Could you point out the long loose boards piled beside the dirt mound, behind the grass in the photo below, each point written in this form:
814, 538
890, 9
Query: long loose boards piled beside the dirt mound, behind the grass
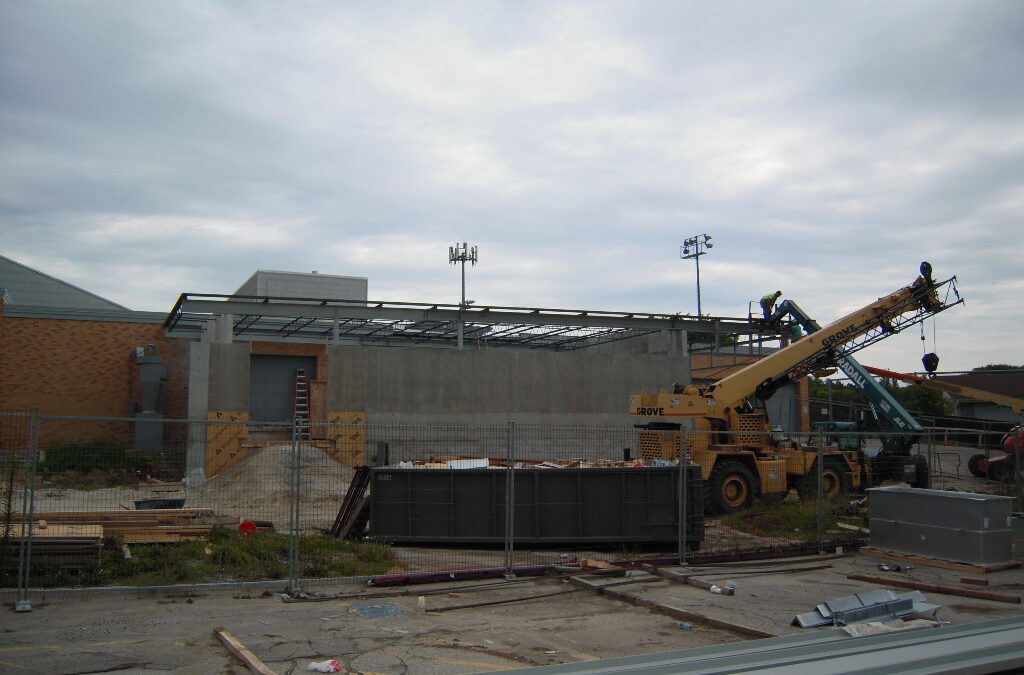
146, 527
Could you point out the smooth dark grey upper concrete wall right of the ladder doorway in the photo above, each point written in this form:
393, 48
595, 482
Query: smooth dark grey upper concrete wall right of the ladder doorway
423, 386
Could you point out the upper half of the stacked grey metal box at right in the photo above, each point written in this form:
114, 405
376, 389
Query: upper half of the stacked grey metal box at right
942, 509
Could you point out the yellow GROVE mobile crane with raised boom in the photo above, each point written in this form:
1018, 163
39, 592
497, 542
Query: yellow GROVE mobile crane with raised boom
733, 443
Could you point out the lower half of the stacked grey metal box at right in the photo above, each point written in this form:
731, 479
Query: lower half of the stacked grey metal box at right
972, 546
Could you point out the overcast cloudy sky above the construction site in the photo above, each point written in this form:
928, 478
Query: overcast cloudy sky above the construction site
149, 149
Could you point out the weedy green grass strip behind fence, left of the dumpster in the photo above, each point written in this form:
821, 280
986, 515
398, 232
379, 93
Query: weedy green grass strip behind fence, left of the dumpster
225, 557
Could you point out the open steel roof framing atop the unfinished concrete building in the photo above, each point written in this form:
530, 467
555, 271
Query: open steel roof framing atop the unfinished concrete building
317, 320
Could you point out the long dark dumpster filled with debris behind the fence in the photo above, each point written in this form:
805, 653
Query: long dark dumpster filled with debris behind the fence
552, 507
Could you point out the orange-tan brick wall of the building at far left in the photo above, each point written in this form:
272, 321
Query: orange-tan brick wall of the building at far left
86, 368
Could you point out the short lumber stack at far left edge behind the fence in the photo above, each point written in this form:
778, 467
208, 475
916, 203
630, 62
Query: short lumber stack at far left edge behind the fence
55, 546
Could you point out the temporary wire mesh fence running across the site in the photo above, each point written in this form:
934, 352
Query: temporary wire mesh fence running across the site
230, 501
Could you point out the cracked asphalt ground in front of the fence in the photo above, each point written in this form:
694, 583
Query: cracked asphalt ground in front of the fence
174, 631
